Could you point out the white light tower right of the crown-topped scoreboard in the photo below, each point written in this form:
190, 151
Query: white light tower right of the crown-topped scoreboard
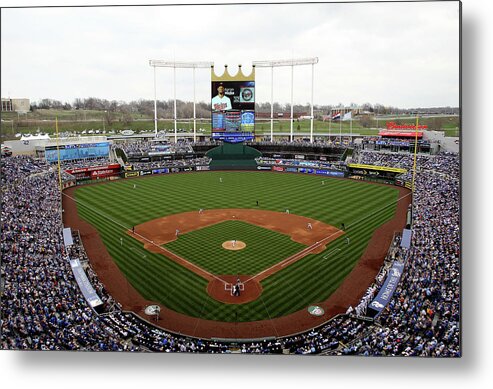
287, 62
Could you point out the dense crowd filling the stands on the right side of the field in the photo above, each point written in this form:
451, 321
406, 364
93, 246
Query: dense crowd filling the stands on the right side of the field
423, 317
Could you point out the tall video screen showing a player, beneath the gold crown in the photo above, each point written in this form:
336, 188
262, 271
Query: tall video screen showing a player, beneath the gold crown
233, 110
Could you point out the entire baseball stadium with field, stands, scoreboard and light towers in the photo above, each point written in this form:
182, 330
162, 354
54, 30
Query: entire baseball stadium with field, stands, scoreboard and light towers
233, 241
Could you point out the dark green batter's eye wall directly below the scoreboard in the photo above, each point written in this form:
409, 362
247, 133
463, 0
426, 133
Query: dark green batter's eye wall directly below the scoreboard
233, 156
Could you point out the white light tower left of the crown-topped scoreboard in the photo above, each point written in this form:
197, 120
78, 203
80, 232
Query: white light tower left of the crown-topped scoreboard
175, 64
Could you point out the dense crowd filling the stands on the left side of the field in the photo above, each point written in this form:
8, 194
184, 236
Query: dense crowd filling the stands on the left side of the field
42, 307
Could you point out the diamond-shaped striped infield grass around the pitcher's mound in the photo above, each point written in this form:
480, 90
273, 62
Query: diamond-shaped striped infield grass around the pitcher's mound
264, 248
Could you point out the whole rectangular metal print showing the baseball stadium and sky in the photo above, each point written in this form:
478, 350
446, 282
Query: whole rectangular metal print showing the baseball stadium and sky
245, 201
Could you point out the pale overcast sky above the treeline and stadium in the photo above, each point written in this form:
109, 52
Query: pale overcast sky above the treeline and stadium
400, 54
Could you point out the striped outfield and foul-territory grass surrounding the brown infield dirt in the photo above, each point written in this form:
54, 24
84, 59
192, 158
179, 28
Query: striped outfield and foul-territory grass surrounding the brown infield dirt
116, 206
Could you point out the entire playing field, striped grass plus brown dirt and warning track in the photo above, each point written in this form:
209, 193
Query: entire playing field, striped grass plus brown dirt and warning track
284, 266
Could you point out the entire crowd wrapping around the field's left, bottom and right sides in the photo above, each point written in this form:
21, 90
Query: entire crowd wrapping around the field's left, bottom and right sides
43, 308
